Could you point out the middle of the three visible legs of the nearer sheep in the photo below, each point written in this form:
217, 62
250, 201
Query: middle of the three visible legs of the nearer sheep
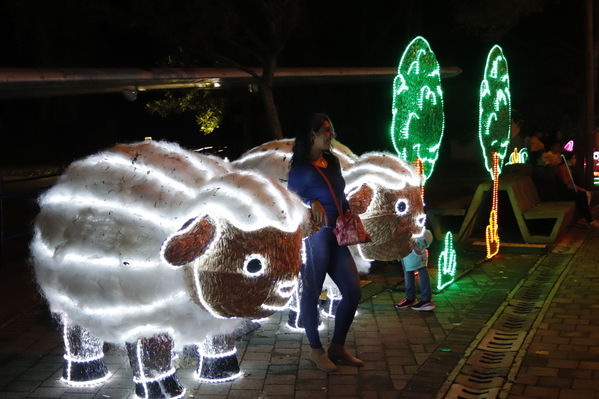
154, 376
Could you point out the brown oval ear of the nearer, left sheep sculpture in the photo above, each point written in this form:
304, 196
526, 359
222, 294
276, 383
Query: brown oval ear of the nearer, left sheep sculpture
190, 242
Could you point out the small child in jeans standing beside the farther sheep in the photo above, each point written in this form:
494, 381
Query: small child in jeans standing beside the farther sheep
417, 261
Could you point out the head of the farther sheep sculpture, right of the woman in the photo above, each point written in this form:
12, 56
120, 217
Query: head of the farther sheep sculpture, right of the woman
385, 192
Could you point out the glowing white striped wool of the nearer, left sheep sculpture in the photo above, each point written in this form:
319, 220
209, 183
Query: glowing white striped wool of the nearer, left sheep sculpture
97, 241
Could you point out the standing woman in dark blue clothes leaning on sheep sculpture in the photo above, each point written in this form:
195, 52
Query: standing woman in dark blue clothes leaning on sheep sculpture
323, 254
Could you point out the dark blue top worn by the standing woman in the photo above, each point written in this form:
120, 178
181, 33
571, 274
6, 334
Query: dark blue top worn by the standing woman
306, 182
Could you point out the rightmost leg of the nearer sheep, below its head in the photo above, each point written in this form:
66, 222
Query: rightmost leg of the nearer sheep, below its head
217, 359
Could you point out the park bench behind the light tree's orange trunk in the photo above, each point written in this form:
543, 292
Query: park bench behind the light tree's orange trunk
526, 207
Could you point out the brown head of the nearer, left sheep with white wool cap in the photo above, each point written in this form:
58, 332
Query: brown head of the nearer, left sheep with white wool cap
244, 254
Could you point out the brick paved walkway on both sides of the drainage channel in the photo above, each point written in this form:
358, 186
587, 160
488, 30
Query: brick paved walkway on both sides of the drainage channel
408, 354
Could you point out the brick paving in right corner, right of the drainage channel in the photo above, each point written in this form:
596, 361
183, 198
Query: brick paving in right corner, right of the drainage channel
563, 359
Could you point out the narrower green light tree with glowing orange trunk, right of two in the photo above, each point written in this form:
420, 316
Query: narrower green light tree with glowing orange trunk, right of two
494, 123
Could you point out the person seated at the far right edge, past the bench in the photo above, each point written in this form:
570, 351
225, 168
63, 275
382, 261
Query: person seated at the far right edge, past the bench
569, 191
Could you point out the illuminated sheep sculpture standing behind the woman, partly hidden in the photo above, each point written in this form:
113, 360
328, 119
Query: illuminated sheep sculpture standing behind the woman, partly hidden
380, 187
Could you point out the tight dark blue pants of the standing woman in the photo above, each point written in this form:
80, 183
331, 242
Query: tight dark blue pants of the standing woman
324, 255
